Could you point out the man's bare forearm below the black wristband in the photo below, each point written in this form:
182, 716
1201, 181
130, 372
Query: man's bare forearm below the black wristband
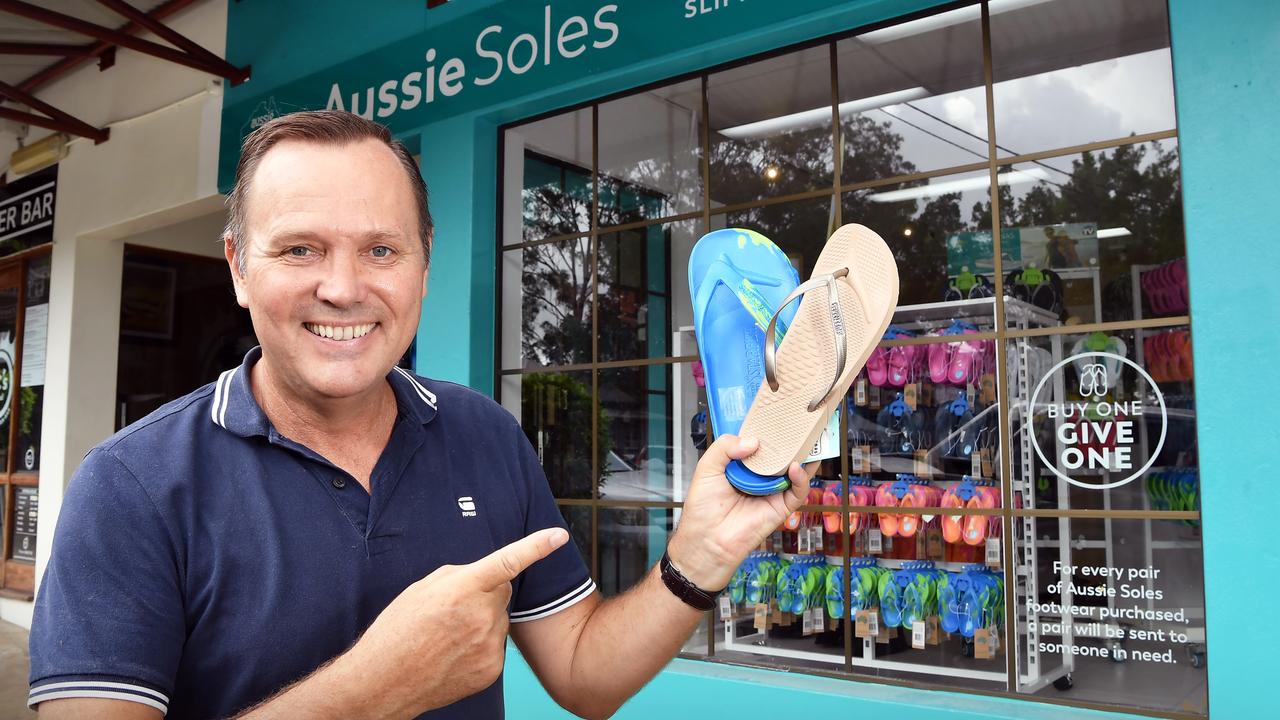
628, 640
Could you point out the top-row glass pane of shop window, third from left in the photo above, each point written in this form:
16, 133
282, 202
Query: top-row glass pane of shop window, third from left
771, 127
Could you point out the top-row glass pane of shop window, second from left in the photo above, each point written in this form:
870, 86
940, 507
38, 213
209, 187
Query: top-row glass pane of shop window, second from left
651, 154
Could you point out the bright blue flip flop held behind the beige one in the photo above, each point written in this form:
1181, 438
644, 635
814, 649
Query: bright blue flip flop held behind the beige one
738, 279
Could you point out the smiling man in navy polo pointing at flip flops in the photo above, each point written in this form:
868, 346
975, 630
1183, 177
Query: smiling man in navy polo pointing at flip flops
322, 535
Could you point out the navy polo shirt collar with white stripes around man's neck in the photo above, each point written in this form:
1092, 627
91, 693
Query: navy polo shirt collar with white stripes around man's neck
236, 409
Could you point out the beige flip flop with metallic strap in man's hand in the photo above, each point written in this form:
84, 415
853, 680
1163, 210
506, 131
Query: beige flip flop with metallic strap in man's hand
829, 343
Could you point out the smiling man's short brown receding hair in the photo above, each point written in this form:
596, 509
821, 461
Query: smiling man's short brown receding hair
324, 127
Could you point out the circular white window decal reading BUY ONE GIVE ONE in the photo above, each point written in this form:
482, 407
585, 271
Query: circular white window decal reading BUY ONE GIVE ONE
1095, 384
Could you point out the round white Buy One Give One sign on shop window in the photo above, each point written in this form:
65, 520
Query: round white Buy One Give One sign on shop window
1099, 438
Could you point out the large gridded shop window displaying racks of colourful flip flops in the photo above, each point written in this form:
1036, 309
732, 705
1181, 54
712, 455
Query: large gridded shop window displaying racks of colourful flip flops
1044, 388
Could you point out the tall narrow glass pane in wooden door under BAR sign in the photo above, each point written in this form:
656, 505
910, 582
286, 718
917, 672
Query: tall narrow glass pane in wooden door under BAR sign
33, 382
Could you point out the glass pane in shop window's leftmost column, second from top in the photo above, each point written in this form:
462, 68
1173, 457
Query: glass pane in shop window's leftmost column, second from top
547, 295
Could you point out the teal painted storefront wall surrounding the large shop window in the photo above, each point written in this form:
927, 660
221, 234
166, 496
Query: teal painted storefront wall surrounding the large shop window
1226, 57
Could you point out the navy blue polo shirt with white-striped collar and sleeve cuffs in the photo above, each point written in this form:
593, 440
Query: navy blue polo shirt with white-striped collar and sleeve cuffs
203, 562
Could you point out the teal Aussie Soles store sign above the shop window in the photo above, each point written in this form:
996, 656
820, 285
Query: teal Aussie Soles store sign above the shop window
496, 54
